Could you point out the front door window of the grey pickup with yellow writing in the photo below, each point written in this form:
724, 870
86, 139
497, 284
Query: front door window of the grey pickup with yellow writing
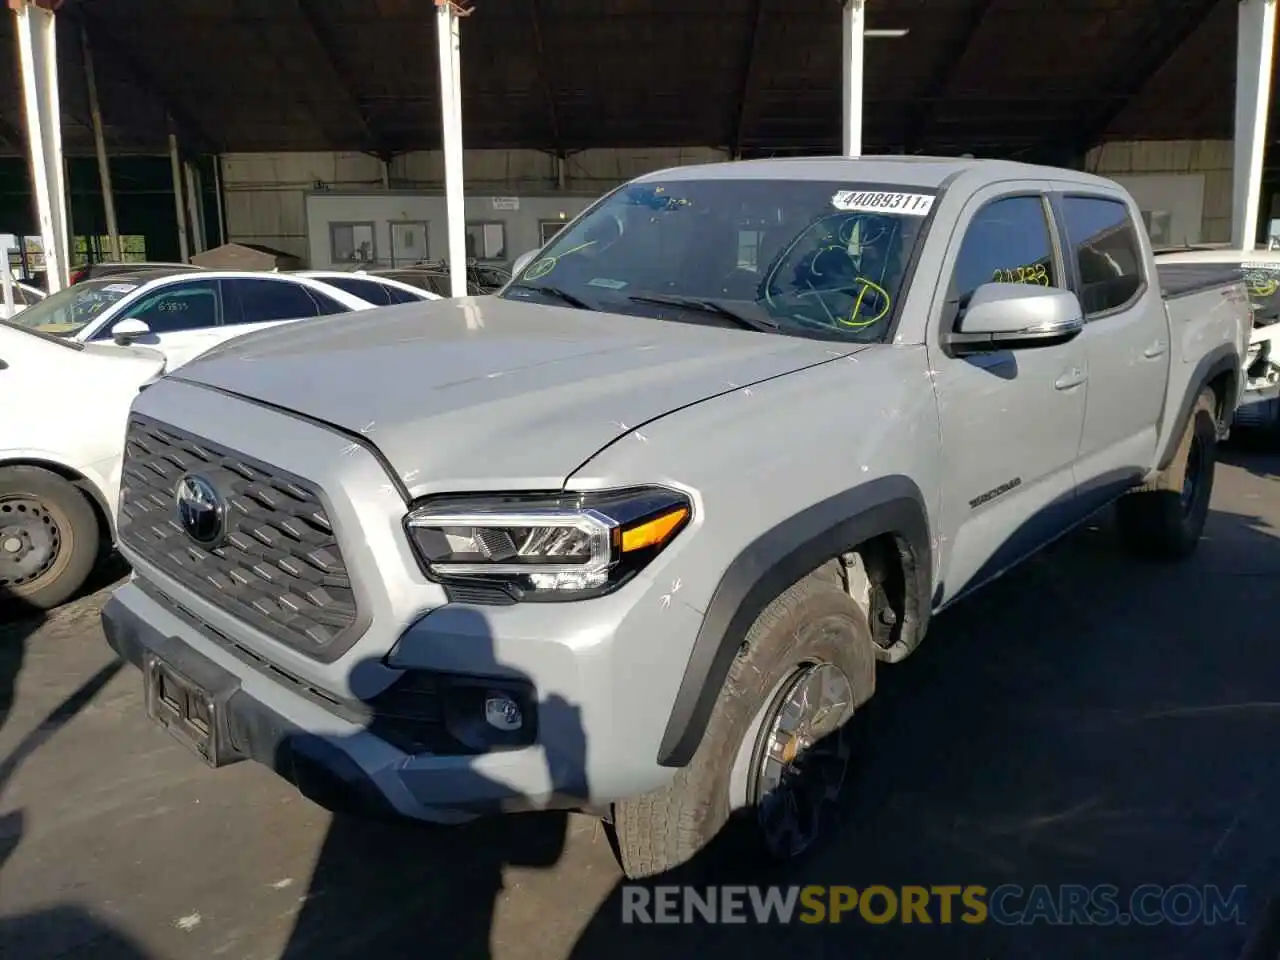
1008, 241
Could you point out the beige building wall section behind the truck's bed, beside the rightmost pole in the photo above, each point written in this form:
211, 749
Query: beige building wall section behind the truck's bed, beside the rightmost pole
1186, 184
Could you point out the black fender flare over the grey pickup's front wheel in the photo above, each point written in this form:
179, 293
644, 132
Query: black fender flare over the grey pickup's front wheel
769, 566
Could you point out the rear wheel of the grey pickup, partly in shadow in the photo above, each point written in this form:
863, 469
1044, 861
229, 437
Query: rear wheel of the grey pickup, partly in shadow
1165, 519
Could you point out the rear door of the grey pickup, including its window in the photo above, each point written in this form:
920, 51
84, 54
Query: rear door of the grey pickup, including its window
1126, 340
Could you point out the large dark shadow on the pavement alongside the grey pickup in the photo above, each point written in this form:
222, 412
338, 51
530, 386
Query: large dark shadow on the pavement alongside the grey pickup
1085, 721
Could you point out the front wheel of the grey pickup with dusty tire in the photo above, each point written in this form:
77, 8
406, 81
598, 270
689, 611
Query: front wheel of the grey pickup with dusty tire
778, 744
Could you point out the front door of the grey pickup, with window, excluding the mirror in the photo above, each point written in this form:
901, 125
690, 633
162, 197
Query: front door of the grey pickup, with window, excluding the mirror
1011, 419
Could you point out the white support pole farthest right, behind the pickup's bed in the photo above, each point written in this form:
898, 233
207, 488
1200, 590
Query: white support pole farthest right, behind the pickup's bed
1255, 51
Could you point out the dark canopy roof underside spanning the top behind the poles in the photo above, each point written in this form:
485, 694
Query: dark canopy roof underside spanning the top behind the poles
757, 76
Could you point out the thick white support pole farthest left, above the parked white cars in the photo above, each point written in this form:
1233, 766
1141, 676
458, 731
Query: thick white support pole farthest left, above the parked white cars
38, 53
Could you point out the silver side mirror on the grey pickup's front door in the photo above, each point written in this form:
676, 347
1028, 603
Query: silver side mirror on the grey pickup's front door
1017, 317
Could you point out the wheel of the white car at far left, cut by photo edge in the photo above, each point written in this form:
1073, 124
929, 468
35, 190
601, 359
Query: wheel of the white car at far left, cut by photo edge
49, 538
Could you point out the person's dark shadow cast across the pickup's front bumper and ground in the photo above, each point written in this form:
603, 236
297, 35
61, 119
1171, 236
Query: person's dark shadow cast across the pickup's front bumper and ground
396, 890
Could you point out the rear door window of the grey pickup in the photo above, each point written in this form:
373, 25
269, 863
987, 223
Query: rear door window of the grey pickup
1107, 252
